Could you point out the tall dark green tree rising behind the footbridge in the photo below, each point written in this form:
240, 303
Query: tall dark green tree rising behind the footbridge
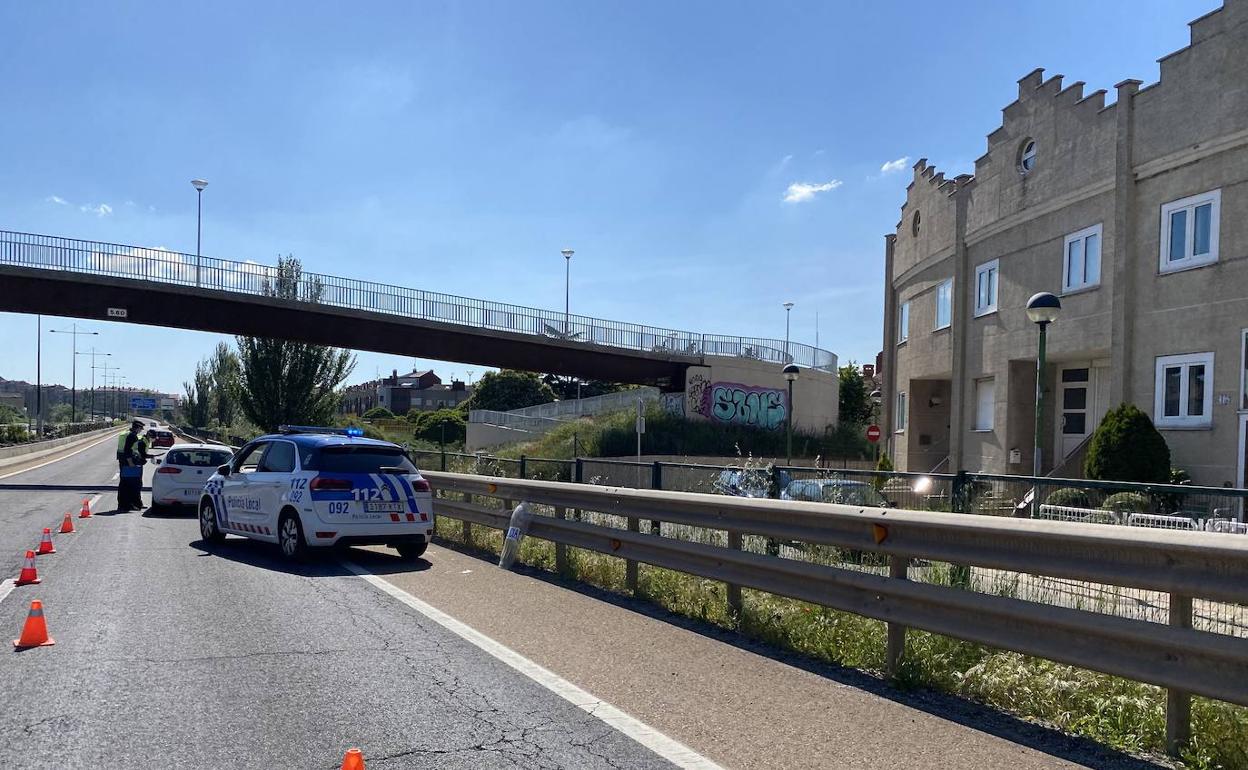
288, 383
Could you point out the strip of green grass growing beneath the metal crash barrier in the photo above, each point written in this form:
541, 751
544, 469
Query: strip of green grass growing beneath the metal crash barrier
1124, 714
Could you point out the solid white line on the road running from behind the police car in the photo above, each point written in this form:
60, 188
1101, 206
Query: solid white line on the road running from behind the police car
668, 748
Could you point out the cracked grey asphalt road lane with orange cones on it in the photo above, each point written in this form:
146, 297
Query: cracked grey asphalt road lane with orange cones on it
174, 655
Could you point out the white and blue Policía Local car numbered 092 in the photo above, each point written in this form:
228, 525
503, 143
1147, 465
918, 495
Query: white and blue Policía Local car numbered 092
311, 487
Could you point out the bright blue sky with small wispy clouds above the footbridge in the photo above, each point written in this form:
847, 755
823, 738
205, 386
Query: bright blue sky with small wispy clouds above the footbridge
707, 160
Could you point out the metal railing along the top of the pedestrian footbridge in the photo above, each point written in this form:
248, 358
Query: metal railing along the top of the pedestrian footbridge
165, 266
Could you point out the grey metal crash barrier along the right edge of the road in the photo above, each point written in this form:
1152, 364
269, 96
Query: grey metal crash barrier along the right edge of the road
1184, 565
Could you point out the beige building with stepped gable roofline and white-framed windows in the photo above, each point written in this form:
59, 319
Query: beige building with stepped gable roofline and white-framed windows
1136, 215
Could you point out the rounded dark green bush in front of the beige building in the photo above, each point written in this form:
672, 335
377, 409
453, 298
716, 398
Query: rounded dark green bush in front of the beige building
1128, 447
